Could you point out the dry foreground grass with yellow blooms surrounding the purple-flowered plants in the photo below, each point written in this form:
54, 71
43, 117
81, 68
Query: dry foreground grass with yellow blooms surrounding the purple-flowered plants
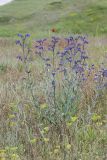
25, 134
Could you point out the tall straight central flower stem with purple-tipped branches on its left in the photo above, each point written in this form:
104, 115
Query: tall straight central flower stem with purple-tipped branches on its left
50, 59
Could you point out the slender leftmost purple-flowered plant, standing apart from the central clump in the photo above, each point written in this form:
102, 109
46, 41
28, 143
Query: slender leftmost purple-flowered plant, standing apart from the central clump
25, 58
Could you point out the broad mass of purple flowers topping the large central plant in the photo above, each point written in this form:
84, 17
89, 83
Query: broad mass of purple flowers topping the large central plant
71, 58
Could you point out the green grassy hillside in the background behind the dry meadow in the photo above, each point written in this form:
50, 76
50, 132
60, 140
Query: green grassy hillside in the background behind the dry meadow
67, 16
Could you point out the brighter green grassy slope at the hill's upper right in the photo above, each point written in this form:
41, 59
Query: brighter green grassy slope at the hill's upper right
89, 20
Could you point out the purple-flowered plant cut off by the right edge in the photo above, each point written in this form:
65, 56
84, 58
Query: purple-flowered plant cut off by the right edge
99, 77
